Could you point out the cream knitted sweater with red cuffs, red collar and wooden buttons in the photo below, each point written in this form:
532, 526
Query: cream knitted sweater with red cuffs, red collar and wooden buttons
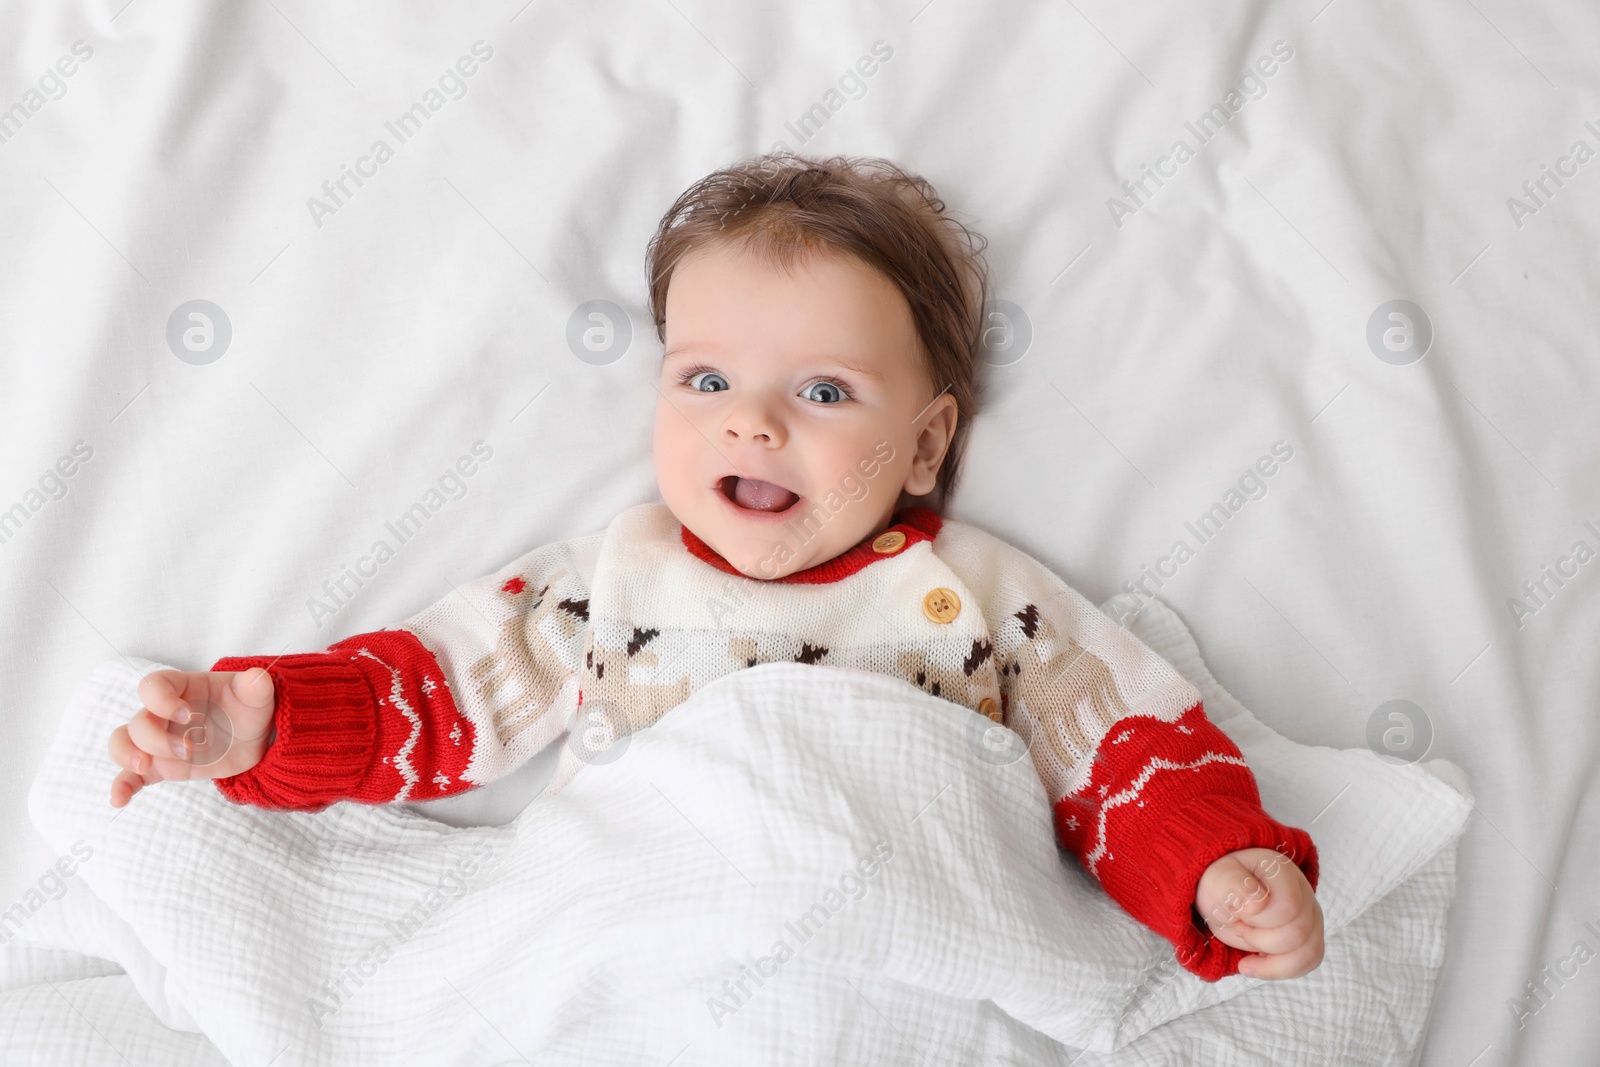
625, 625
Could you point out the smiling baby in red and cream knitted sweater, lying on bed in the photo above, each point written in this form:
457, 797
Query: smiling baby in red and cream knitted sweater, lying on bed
823, 329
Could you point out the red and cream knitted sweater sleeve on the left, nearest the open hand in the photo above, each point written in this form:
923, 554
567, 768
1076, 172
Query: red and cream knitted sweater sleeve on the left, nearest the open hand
454, 698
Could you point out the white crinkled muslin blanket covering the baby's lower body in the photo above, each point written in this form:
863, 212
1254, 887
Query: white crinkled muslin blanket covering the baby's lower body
870, 853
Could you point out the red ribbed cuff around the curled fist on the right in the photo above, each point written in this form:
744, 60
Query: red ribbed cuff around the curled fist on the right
1178, 849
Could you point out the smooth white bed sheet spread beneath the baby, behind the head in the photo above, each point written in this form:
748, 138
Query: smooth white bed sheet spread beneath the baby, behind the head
1170, 353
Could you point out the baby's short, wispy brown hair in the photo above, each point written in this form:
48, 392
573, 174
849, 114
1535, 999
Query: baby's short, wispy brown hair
785, 206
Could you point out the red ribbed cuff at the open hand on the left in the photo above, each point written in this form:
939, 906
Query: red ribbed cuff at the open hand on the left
327, 724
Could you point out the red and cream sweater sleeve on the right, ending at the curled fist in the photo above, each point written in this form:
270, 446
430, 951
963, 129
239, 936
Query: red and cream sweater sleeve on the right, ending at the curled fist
1145, 789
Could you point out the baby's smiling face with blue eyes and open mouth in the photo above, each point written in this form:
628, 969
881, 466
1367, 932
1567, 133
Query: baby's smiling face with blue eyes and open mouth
794, 407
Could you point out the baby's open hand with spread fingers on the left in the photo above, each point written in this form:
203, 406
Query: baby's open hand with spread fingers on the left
194, 724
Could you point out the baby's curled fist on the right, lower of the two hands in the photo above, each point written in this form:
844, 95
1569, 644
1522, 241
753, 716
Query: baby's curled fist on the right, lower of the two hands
1258, 901
